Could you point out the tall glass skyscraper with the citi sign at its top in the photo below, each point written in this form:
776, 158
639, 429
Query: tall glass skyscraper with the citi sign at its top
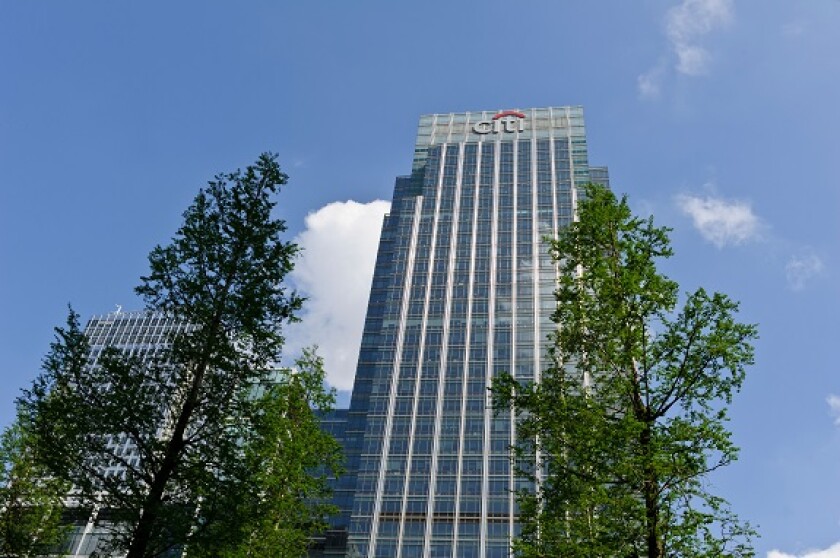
462, 290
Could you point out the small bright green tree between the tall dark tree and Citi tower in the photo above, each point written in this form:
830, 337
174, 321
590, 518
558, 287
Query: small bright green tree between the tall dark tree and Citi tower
288, 457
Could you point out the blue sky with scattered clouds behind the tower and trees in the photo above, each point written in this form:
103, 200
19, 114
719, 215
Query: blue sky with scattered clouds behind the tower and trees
717, 116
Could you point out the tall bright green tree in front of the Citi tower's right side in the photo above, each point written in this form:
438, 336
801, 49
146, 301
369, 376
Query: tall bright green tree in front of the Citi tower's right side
618, 437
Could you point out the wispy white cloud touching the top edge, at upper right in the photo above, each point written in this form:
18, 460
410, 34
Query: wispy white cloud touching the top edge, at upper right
687, 23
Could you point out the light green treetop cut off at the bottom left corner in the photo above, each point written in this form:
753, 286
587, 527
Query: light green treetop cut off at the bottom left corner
31, 502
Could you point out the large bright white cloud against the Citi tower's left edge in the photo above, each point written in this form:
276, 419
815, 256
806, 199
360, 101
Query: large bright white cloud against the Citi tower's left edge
334, 273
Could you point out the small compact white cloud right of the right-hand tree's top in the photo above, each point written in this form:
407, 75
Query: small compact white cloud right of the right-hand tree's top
721, 221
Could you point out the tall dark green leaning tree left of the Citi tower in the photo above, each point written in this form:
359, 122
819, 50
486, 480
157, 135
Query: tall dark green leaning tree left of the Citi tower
191, 412
